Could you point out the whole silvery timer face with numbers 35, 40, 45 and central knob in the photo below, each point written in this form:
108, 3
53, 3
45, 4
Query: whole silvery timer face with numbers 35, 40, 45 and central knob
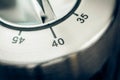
36, 31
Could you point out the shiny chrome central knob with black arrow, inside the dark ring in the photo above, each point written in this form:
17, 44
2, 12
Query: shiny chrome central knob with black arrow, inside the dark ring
34, 11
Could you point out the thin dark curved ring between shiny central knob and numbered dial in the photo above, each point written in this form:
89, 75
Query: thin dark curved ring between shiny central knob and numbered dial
44, 26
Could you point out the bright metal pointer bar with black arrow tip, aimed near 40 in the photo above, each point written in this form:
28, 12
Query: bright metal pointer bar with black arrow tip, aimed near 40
46, 13
